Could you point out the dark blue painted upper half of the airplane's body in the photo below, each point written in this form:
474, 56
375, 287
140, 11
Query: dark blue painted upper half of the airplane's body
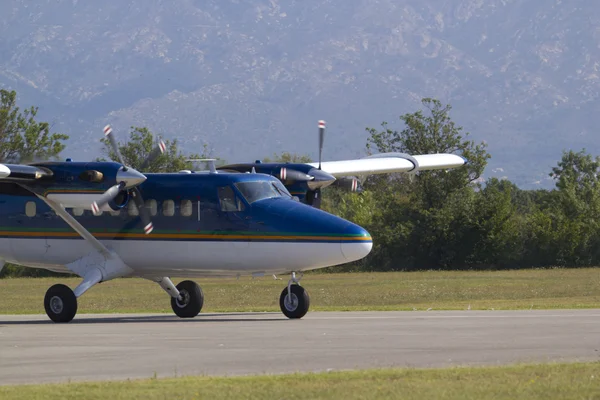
280, 217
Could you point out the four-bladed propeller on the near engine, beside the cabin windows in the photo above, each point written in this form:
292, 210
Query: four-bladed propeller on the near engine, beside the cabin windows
128, 179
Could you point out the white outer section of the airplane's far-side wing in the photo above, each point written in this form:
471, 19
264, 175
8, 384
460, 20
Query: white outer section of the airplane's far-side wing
391, 162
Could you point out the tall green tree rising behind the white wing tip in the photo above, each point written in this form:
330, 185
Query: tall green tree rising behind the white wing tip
432, 222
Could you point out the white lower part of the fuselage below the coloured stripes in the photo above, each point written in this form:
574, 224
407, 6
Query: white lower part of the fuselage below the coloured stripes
187, 258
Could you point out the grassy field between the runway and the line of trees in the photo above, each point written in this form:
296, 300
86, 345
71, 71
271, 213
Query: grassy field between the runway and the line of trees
537, 289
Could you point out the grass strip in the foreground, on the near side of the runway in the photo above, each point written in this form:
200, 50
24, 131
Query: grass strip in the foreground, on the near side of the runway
554, 381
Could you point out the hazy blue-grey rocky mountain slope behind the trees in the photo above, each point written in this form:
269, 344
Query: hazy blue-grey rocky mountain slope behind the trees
251, 78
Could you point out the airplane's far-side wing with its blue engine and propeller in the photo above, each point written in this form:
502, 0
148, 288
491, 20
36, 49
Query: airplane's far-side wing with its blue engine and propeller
305, 180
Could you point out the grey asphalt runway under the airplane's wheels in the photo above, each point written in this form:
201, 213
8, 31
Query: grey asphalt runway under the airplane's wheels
100, 347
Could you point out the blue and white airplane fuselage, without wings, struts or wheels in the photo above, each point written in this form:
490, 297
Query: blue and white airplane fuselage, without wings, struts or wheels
205, 224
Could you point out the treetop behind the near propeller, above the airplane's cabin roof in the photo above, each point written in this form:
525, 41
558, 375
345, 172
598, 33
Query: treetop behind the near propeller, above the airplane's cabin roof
141, 143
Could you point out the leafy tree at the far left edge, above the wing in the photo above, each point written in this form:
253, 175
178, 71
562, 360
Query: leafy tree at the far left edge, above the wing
22, 138
